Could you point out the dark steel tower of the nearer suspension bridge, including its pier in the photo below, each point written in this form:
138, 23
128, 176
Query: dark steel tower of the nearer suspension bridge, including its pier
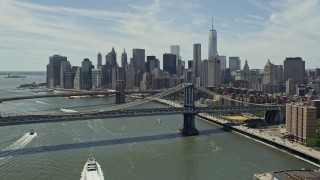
189, 128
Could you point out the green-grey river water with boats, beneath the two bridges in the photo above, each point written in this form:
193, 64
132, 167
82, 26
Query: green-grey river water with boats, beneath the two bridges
126, 148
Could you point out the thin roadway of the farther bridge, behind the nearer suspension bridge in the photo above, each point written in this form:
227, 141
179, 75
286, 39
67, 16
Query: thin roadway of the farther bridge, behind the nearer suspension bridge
75, 94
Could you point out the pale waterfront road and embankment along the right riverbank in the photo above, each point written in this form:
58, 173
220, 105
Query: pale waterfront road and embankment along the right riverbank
294, 149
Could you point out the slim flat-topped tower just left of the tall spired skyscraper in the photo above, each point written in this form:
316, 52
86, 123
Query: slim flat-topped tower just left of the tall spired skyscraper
196, 65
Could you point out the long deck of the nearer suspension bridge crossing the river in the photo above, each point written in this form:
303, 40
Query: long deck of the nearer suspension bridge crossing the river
29, 119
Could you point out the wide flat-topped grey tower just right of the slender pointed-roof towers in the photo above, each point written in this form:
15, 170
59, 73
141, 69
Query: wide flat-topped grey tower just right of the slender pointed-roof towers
138, 59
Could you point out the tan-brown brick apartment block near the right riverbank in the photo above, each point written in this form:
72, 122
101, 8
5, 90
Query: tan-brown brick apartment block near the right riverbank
301, 121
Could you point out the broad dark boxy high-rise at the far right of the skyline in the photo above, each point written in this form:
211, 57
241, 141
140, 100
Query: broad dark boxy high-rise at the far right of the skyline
294, 68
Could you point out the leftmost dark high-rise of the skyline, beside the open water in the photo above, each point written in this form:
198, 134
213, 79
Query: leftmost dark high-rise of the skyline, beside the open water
53, 70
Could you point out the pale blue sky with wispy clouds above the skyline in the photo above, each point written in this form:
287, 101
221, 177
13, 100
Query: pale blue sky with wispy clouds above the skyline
256, 30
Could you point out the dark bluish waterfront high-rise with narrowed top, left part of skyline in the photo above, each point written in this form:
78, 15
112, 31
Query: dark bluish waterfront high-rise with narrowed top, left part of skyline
86, 72
